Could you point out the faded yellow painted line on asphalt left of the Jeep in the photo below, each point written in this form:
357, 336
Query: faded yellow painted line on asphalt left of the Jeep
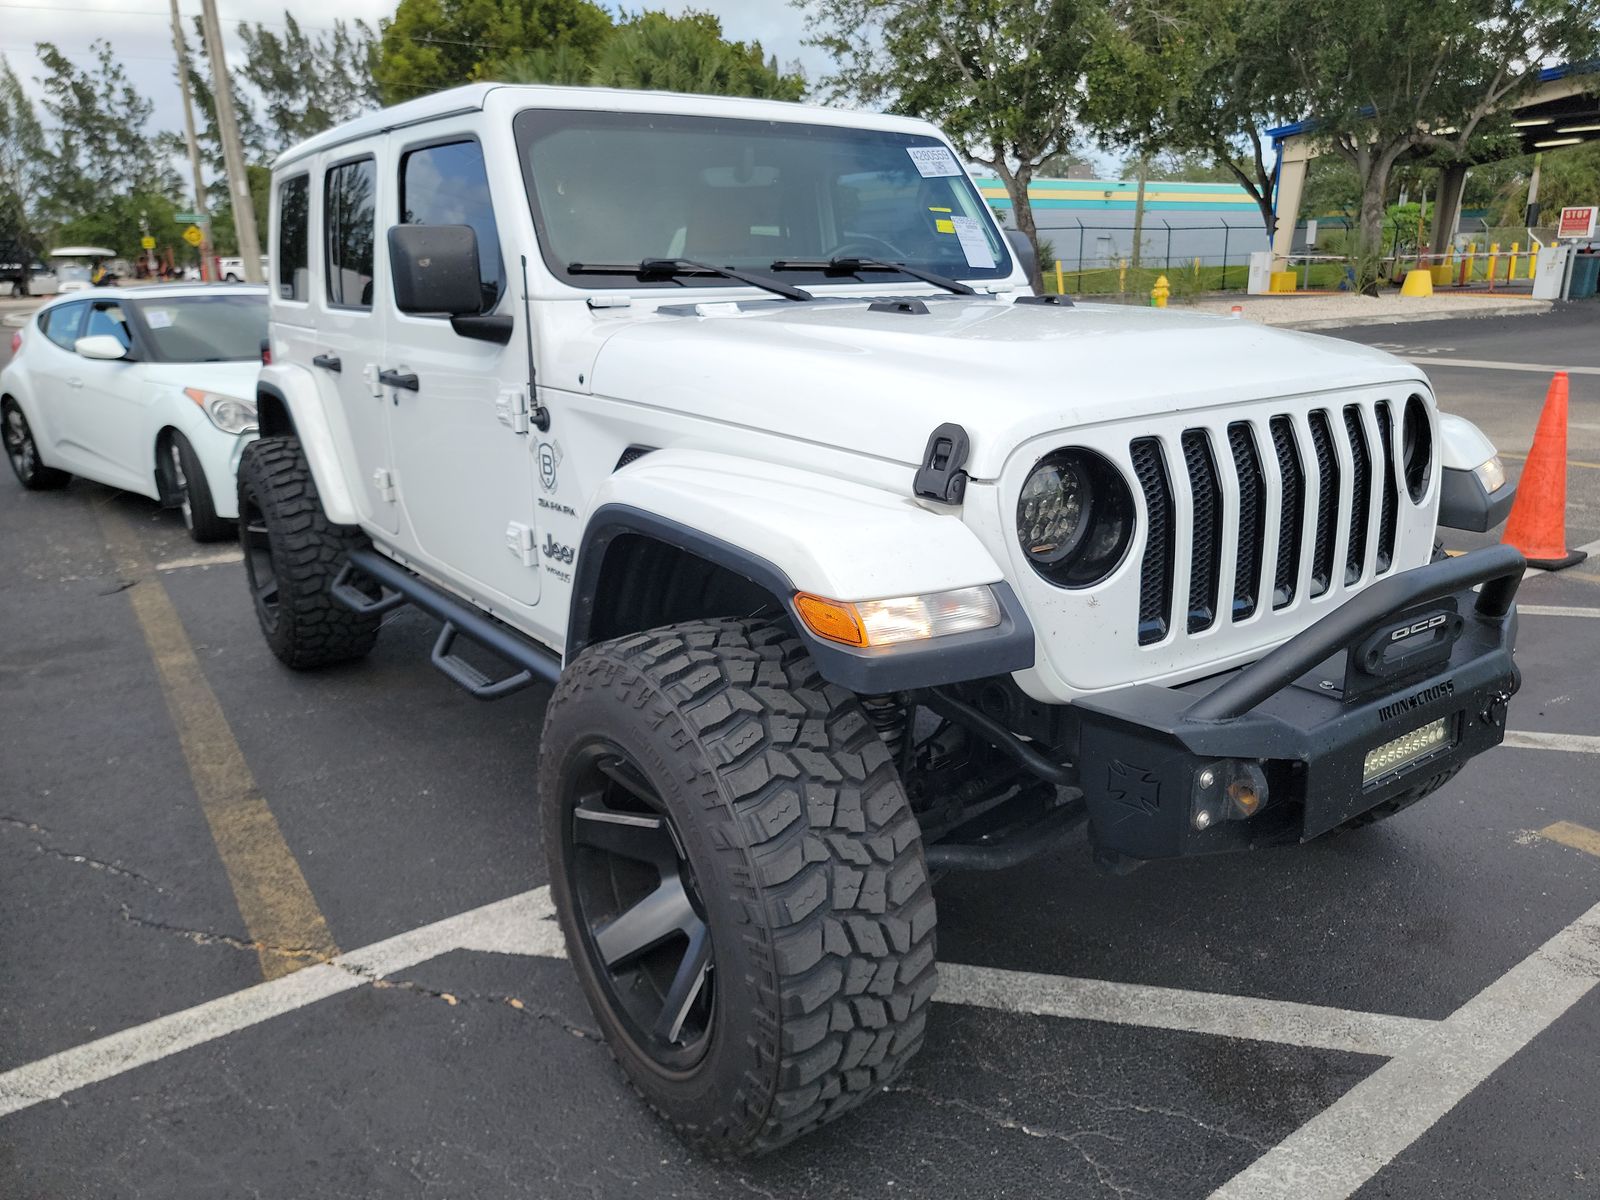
274, 900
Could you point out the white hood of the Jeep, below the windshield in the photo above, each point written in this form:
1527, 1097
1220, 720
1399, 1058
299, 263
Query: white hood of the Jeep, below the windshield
878, 383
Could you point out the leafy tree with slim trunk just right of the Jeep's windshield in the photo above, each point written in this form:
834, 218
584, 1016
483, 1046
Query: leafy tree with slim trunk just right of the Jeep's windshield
1002, 78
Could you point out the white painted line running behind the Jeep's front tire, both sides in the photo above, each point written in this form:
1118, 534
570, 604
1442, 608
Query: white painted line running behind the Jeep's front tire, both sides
524, 926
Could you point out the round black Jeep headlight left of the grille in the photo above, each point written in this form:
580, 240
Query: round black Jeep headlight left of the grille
1074, 518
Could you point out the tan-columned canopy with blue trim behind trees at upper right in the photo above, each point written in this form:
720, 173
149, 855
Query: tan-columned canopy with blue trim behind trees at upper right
1562, 111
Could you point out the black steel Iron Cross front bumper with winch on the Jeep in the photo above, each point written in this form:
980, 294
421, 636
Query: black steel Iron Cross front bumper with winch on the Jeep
1410, 650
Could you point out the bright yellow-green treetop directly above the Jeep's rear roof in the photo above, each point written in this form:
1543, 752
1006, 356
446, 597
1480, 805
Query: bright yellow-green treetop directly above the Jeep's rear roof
439, 44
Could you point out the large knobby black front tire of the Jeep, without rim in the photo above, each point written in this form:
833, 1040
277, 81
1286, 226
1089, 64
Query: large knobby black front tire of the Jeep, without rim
809, 868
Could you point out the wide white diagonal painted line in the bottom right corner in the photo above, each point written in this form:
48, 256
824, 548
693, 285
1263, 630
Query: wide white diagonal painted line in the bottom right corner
1340, 1150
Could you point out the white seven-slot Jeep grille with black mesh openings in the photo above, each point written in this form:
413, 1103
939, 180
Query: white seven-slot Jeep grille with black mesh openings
1310, 454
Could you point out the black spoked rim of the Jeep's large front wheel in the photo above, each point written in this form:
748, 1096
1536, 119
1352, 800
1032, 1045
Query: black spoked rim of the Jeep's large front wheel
644, 924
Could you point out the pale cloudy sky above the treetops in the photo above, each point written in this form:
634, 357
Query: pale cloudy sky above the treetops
142, 33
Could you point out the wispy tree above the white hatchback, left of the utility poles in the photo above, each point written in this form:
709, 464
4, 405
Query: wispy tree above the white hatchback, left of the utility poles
98, 150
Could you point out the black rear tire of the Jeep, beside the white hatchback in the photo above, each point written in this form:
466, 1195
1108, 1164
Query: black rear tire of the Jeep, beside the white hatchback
292, 558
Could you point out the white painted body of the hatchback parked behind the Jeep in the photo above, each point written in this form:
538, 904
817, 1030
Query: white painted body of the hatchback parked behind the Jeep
103, 420
